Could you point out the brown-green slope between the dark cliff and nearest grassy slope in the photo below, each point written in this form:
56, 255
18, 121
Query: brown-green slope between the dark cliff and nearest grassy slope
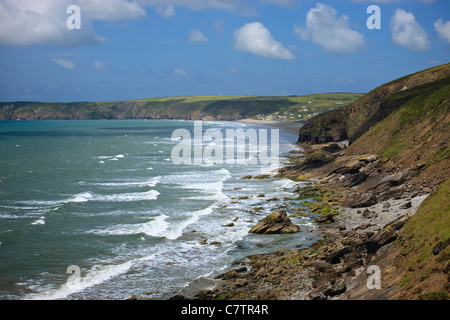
416, 136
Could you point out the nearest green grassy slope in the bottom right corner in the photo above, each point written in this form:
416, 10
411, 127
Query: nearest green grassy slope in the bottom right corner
425, 250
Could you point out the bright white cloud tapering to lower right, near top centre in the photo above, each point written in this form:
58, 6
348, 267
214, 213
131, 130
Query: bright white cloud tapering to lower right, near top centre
254, 38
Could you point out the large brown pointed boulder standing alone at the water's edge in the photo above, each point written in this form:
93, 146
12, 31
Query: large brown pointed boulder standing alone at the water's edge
277, 222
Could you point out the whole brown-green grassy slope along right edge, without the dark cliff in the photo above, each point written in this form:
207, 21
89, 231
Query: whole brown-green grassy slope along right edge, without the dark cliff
416, 137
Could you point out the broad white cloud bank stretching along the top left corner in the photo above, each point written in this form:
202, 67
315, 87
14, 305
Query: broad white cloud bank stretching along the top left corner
43, 22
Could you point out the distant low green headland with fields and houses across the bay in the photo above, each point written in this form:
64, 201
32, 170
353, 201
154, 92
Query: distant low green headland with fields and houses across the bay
188, 108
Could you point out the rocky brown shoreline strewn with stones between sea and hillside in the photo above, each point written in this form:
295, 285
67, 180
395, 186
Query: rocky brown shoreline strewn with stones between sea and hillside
335, 267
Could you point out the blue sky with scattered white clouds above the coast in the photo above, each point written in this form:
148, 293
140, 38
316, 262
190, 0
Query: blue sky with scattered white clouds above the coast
108, 50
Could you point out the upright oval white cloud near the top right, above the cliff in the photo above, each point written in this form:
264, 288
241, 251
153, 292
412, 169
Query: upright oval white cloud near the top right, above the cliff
406, 32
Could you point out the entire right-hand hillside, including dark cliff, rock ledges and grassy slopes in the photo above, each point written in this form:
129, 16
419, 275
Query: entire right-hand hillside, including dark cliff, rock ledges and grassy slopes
404, 127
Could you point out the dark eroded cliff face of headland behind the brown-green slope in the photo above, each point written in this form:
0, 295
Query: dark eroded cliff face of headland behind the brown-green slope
352, 121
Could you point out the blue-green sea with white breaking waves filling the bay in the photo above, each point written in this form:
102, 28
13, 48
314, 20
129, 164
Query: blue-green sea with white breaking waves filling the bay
95, 210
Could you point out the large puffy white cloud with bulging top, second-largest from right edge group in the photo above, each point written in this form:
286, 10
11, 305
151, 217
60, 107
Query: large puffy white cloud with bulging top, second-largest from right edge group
333, 33
